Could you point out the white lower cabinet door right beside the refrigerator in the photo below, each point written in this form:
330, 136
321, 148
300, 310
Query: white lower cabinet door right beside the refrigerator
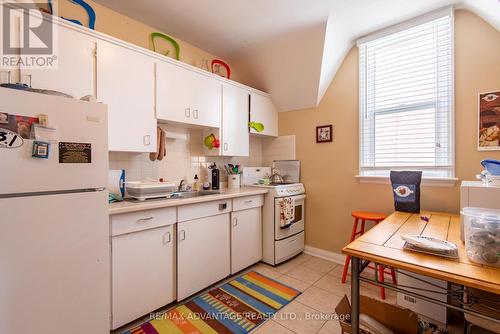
143, 273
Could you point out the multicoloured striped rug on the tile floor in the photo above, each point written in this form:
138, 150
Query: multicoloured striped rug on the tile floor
238, 306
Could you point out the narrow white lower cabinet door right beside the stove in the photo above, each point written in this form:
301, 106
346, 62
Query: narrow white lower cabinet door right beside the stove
246, 238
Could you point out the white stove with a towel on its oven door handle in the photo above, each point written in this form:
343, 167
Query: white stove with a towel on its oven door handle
279, 243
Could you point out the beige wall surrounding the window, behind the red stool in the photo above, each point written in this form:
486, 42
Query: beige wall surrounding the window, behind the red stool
328, 170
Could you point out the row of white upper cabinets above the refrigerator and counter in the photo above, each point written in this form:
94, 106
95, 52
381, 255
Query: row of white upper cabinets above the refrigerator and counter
140, 86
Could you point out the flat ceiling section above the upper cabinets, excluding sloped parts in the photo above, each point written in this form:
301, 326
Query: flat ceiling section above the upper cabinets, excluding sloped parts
224, 27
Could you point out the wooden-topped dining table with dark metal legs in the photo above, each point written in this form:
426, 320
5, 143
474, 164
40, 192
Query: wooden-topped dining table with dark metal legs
383, 245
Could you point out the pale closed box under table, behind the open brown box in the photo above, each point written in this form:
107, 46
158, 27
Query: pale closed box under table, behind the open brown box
427, 309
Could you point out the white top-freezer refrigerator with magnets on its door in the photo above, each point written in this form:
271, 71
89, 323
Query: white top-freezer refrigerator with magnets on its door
54, 231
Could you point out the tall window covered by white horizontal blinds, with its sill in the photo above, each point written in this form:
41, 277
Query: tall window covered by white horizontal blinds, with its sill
406, 100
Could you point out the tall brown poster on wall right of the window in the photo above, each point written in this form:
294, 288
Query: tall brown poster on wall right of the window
489, 121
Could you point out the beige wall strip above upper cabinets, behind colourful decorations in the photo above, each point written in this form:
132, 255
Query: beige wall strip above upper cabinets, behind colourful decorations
127, 29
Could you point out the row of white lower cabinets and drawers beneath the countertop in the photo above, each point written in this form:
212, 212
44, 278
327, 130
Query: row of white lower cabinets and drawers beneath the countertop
153, 265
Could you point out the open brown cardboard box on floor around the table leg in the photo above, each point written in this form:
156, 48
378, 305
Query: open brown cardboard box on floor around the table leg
397, 319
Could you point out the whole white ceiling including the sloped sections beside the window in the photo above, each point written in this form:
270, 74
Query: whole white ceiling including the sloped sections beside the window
290, 48
